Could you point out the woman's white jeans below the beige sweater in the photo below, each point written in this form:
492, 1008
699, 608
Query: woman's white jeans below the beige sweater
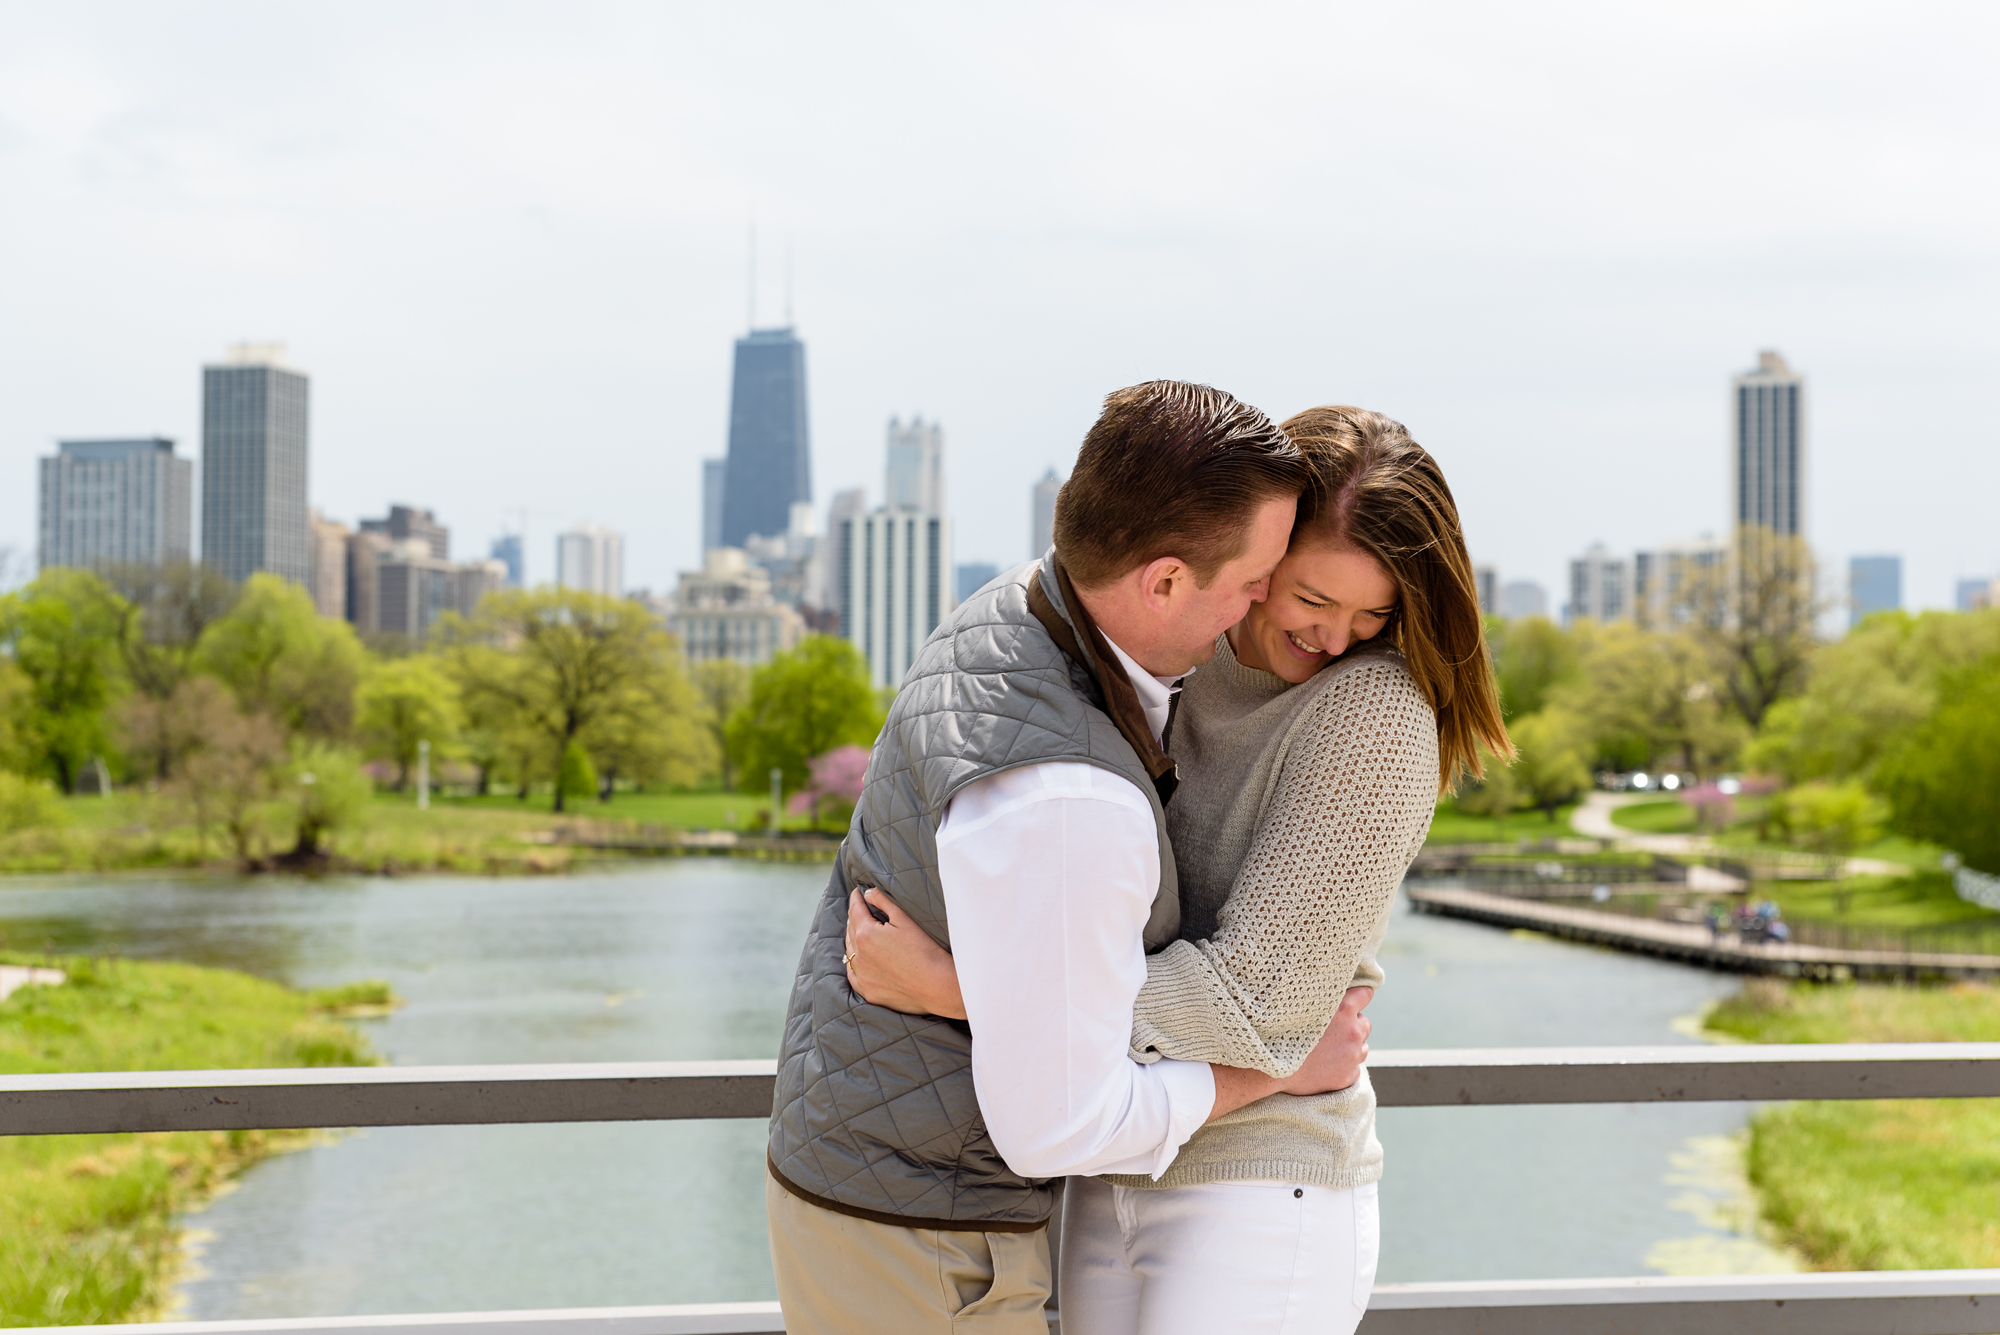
1237, 1258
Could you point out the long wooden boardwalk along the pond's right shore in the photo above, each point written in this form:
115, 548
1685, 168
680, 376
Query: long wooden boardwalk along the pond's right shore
1693, 944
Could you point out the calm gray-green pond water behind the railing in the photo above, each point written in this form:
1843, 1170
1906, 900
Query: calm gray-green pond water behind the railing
687, 960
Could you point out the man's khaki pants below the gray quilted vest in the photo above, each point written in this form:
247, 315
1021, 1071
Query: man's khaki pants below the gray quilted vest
843, 1276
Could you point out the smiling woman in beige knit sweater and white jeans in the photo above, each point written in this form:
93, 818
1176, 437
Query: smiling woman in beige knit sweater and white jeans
1313, 752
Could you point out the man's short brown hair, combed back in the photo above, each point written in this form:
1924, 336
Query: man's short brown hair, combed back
1171, 469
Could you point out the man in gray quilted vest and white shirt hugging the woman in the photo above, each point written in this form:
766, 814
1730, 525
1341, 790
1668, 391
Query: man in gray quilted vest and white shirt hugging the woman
1015, 808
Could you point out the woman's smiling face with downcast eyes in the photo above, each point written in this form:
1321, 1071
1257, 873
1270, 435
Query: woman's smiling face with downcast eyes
1323, 599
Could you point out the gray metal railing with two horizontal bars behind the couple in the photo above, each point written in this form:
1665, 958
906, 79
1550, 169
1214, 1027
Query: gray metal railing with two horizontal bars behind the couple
1901, 1302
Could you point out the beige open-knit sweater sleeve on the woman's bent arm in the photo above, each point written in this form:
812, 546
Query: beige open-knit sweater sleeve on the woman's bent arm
1347, 812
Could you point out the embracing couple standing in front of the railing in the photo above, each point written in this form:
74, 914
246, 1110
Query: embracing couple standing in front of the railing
1113, 892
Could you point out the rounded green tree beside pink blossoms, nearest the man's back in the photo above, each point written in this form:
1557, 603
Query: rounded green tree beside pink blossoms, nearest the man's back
803, 702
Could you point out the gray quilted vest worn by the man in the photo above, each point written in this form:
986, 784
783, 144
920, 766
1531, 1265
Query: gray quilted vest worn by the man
875, 1112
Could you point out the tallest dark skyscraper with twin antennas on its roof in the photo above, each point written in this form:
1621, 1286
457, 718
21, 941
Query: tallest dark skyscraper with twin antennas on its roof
771, 459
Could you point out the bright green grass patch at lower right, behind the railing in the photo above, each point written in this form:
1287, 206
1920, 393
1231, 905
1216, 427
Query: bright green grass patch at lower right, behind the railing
1895, 1184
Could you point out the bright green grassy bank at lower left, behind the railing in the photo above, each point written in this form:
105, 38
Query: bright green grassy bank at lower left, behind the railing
89, 1220
